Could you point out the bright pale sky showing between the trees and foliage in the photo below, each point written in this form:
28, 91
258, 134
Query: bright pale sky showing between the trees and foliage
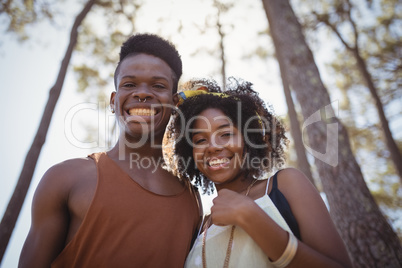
27, 72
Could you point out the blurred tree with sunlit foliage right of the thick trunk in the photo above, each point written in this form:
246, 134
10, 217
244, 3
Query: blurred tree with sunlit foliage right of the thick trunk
368, 32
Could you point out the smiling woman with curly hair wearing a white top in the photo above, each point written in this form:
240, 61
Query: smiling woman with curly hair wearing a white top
231, 141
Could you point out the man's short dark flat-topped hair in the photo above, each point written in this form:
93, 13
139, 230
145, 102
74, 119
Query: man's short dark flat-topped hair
153, 45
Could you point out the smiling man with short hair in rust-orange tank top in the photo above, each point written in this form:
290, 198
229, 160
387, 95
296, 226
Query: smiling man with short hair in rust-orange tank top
120, 208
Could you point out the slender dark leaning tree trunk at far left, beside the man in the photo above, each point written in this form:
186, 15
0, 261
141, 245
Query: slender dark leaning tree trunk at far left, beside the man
17, 199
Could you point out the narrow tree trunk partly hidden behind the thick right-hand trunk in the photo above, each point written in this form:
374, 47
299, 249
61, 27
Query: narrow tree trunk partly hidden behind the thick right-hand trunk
302, 162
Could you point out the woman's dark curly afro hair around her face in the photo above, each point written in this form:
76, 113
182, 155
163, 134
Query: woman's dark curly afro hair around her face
246, 110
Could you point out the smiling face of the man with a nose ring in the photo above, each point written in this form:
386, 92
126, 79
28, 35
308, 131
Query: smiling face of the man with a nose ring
143, 101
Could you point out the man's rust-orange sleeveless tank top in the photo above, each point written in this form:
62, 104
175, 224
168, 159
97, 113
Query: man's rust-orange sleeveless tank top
129, 226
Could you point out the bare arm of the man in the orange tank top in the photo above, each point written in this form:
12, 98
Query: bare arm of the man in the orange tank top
50, 220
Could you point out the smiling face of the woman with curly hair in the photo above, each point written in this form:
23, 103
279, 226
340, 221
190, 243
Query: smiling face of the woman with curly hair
218, 147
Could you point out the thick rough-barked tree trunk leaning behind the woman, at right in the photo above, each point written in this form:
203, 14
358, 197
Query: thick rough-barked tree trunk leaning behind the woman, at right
370, 240
